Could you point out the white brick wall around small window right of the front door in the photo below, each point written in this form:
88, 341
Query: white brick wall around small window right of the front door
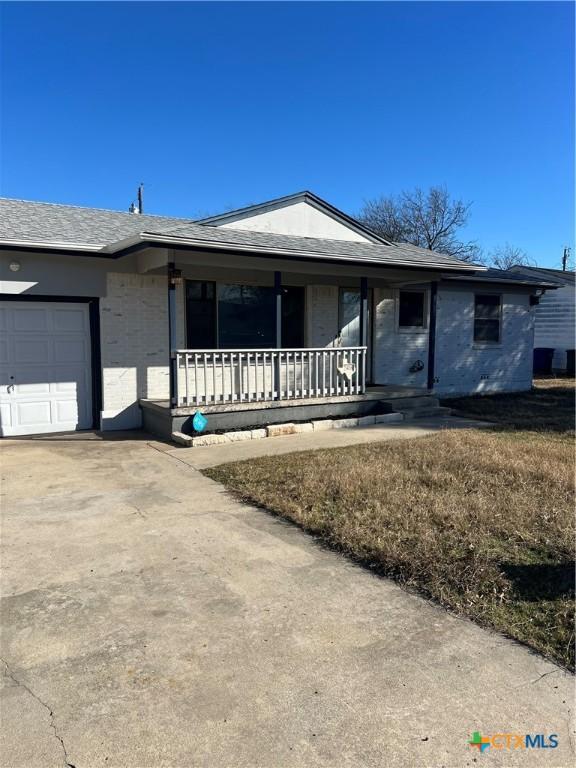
395, 350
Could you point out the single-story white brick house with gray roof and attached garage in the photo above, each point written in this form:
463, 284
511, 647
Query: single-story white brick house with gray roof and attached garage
282, 311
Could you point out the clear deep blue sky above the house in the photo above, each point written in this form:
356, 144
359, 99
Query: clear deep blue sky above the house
222, 105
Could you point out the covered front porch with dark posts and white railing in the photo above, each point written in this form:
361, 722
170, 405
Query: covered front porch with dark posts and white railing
256, 341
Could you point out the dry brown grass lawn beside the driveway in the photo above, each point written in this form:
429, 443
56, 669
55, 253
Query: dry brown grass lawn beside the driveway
481, 521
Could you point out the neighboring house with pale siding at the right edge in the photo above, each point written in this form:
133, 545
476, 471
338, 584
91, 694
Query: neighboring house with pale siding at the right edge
555, 316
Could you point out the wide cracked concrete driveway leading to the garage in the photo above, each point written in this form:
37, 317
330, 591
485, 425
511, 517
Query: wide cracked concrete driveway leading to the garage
151, 620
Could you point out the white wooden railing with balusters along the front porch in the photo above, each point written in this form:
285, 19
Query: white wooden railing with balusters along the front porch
209, 377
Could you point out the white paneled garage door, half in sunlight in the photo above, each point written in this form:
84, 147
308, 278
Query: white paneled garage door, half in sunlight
45, 369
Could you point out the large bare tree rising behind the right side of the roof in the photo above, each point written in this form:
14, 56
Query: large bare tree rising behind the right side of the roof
429, 219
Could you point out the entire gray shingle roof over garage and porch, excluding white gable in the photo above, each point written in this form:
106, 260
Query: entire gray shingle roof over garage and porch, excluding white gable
33, 225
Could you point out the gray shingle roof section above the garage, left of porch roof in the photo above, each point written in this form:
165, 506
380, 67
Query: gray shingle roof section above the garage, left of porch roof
50, 222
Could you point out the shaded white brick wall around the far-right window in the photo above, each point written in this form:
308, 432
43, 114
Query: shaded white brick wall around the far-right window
463, 367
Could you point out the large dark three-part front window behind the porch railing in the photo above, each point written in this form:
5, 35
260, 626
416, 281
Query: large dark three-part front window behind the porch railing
230, 316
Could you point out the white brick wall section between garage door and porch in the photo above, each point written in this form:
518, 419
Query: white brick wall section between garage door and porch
134, 343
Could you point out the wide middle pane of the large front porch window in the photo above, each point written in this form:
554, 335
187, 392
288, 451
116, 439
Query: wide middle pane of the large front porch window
246, 317
